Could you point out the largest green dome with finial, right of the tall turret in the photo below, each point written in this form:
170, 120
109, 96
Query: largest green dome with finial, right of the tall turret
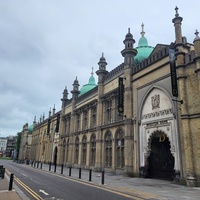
143, 49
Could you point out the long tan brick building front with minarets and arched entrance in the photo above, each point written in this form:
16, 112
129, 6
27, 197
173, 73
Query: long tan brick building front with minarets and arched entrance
154, 133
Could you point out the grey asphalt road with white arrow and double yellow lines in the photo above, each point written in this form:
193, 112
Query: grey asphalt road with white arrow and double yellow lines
45, 185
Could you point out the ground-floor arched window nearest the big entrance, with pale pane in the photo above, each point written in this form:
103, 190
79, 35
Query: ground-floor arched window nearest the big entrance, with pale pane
120, 149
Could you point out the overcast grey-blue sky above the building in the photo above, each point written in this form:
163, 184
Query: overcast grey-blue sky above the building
45, 44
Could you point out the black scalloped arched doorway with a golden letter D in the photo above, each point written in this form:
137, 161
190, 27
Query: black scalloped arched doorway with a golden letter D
160, 162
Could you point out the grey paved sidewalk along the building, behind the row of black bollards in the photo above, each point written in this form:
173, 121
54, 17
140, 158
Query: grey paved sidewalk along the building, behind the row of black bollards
140, 188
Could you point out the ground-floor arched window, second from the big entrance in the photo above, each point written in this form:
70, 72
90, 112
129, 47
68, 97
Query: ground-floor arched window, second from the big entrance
108, 150
